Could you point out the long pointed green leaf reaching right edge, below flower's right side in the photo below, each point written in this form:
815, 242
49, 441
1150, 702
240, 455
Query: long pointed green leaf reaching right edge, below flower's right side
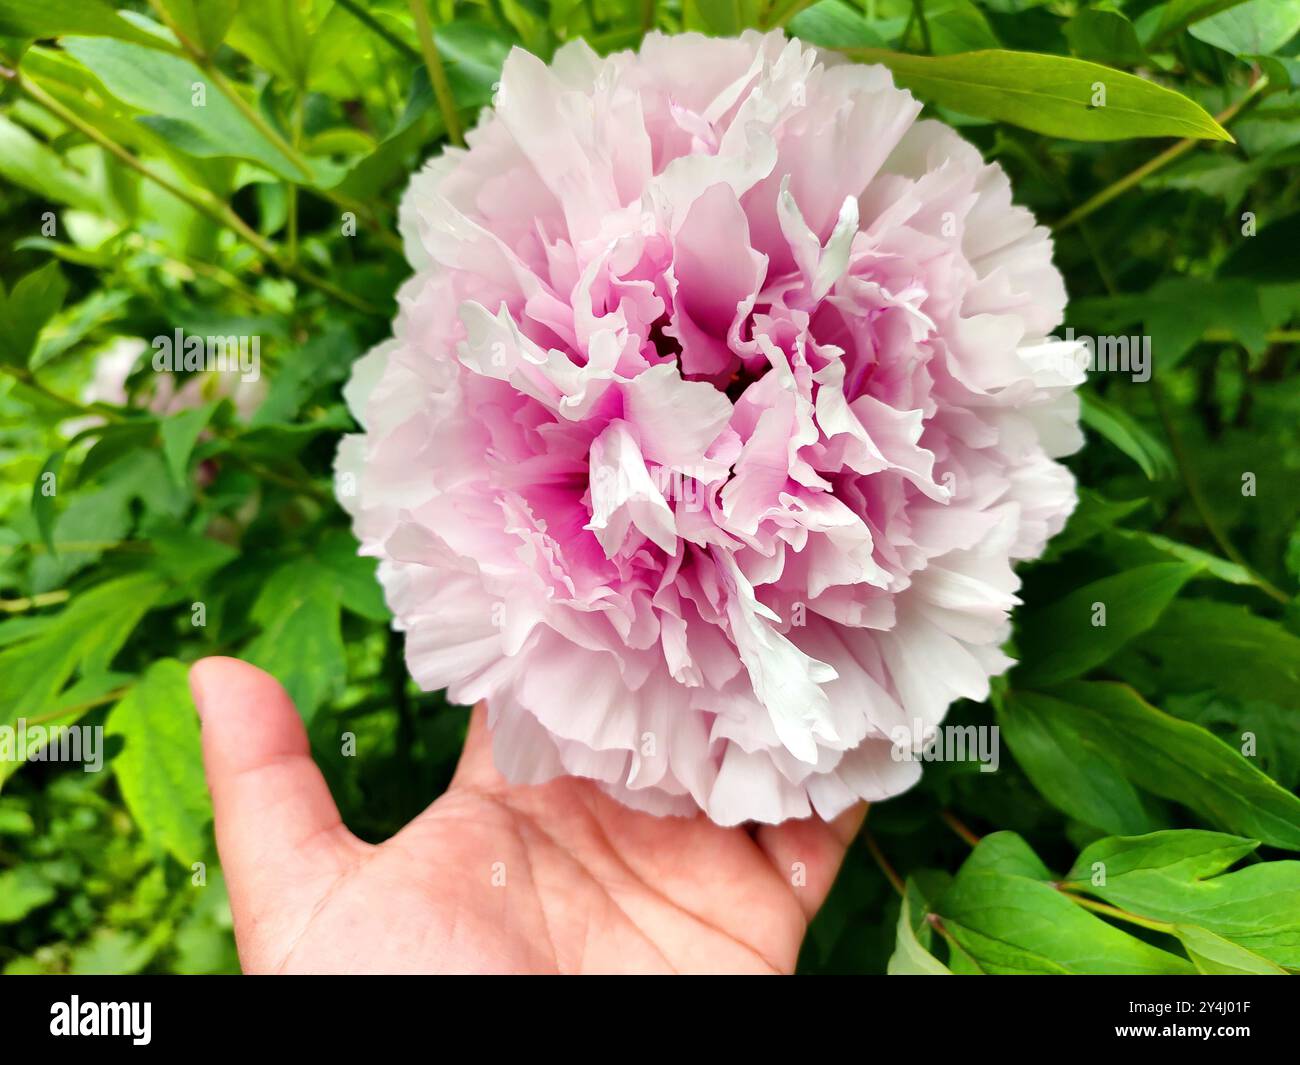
1175, 760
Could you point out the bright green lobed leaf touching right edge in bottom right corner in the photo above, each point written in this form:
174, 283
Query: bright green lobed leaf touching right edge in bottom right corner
1178, 877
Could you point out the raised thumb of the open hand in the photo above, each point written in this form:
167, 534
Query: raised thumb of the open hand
279, 833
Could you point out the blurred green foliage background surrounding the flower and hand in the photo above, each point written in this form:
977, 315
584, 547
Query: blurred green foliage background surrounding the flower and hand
123, 217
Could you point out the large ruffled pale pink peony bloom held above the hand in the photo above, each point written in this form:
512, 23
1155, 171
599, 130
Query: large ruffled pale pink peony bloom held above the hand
718, 409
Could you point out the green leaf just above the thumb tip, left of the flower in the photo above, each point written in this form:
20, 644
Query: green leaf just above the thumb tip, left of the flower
301, 643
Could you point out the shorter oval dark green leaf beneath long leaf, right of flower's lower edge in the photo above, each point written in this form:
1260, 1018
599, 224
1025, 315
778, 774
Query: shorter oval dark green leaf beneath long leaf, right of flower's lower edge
1067, 767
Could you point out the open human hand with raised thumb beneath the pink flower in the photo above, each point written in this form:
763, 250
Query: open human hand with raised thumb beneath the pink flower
491, 878
